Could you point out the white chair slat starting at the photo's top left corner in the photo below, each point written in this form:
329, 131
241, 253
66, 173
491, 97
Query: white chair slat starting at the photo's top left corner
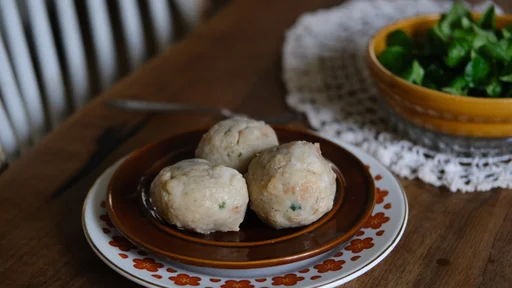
17, 45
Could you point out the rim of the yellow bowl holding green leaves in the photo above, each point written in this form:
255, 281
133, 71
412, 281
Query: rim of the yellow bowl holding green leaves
401, 82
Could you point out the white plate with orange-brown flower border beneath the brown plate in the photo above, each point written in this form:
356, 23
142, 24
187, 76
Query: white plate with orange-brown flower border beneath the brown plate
371, 244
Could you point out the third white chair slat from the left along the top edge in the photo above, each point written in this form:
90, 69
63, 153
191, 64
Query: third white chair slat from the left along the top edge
74, 51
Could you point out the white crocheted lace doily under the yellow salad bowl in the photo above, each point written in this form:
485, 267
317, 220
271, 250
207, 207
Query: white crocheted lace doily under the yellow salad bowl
325, 71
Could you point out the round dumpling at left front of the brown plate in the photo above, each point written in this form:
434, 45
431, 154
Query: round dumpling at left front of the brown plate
196, 195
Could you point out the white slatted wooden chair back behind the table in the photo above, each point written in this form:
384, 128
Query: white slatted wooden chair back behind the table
50, 48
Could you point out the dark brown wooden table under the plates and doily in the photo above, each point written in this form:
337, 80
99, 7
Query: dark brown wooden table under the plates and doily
452, 239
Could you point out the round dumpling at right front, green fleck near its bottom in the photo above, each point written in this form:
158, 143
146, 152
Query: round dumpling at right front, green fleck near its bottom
291, 185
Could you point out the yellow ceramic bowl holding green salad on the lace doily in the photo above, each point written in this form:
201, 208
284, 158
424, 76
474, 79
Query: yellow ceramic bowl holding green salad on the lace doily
435, 110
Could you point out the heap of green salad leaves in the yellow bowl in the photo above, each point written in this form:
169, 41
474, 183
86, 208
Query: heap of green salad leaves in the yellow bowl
458, 55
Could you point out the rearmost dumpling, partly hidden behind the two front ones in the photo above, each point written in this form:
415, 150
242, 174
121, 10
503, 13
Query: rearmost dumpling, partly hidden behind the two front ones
234, 142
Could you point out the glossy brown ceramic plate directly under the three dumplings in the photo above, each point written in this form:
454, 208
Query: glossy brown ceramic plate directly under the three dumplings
255, 245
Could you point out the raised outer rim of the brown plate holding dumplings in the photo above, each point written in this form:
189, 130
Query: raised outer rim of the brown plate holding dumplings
251, 263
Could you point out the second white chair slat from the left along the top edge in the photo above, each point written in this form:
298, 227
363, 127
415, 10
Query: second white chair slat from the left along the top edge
51, 74
